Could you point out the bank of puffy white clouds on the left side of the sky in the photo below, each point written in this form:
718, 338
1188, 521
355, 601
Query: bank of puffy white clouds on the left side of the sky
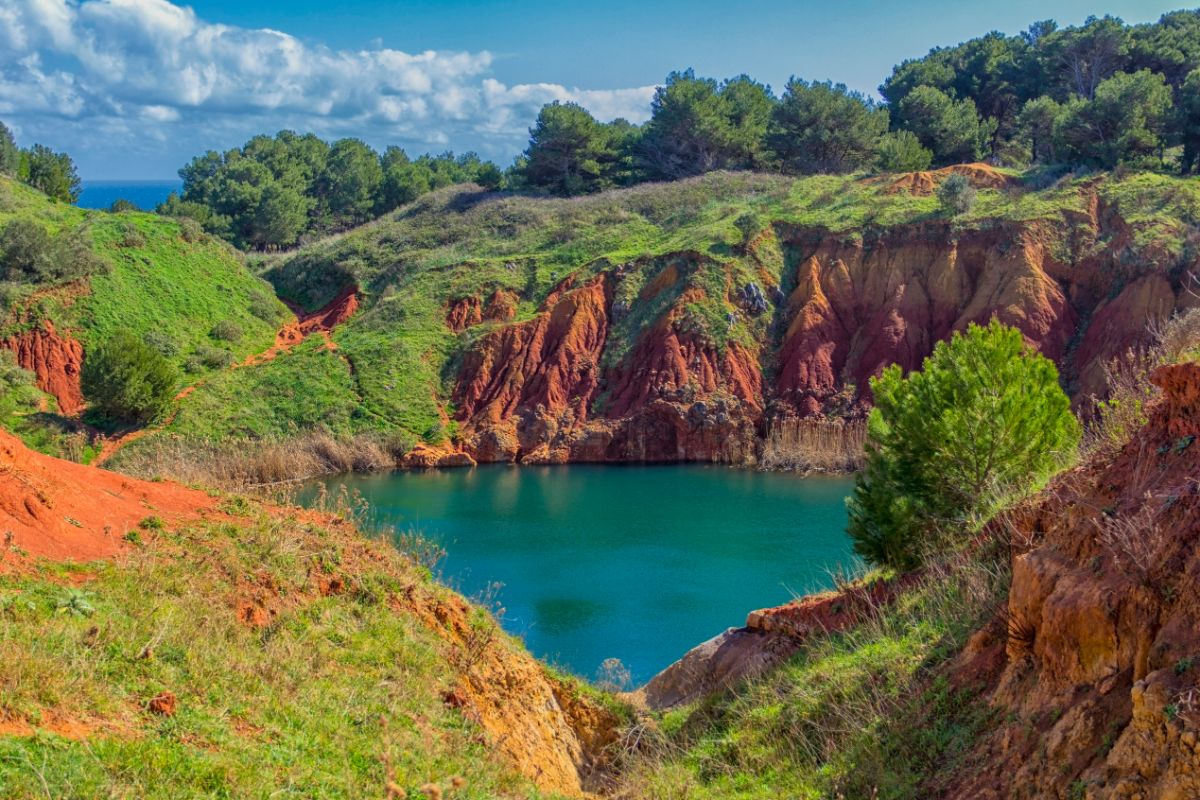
158, 73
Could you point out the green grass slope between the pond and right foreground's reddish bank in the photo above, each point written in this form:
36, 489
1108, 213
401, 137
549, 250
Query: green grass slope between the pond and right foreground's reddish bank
863, 714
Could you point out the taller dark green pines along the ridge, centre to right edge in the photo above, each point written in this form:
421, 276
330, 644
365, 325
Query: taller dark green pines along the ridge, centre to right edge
1099, 95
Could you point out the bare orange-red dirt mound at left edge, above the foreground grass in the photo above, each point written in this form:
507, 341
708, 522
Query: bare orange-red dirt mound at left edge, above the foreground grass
59, 510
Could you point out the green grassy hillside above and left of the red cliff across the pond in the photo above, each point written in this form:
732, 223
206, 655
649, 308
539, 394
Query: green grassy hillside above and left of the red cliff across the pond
459, 243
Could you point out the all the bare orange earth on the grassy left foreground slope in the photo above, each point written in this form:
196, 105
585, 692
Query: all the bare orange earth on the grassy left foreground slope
63, 512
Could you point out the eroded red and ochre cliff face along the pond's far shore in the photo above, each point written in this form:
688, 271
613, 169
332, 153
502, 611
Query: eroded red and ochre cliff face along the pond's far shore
579, 382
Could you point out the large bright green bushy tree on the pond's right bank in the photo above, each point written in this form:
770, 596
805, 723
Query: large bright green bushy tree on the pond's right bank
983, 423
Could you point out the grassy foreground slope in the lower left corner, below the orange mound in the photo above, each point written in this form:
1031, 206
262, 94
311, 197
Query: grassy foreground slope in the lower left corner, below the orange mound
305, 707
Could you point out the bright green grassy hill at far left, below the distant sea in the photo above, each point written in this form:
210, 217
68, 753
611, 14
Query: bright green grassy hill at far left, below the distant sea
159, 284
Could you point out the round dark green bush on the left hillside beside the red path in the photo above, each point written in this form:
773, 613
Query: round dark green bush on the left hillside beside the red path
128, 381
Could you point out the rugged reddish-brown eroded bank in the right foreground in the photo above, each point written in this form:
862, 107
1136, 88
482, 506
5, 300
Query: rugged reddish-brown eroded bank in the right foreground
1097, 677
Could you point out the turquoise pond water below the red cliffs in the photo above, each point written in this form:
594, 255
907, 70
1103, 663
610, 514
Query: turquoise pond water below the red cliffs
635, 563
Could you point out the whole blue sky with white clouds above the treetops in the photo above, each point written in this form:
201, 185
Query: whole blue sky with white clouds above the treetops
133, 89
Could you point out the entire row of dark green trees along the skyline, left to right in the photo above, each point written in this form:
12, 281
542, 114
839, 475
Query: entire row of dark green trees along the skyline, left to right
1099, 95
